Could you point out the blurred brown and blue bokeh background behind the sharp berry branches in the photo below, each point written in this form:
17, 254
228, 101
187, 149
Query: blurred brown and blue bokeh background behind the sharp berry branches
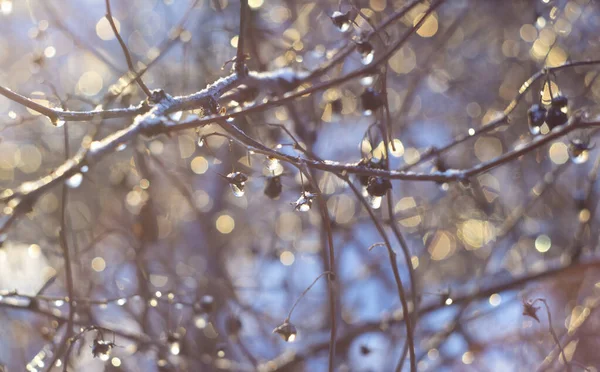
191, 277
